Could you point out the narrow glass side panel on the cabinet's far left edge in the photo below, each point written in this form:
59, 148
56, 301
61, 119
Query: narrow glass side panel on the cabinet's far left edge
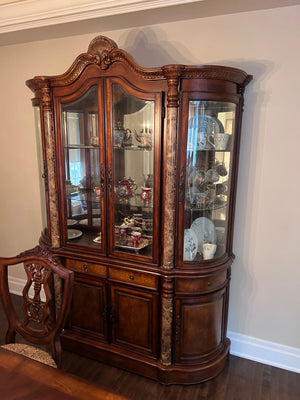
41, 166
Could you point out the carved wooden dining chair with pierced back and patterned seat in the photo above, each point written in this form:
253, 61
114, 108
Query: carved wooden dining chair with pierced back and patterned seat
47, 296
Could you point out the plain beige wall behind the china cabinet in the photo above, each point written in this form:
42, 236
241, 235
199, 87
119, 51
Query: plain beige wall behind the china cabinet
266, 277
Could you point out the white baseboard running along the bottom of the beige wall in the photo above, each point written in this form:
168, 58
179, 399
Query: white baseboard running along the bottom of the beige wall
244, 346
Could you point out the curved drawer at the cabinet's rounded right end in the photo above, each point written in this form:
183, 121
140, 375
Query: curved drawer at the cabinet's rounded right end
201, 285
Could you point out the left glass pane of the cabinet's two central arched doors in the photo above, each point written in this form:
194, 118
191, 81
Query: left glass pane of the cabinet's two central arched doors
82, 177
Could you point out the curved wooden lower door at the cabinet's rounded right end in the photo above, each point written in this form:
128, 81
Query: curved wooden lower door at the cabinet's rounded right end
199, 327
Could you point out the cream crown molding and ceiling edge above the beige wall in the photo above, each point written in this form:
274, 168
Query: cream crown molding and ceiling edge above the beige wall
29, 20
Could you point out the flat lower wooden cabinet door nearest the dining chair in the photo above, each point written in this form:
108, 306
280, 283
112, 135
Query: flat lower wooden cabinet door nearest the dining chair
89, 310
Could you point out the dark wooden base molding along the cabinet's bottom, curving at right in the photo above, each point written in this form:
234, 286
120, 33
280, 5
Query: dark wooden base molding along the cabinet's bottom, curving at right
153, 369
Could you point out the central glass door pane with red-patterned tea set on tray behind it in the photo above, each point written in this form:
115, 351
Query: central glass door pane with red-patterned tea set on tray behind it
134, 129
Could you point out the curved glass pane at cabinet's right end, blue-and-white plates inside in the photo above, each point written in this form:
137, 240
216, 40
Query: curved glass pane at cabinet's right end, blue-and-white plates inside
206, 162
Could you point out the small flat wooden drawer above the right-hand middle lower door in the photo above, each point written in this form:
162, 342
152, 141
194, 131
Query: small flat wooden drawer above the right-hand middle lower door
134, 278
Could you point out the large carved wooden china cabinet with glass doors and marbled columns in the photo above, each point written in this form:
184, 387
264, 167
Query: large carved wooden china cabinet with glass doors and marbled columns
138, 174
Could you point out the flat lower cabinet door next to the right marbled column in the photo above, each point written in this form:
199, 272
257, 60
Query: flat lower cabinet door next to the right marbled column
134, 318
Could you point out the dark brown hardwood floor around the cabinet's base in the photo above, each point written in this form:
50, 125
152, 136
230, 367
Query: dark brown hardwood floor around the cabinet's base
241, 380
